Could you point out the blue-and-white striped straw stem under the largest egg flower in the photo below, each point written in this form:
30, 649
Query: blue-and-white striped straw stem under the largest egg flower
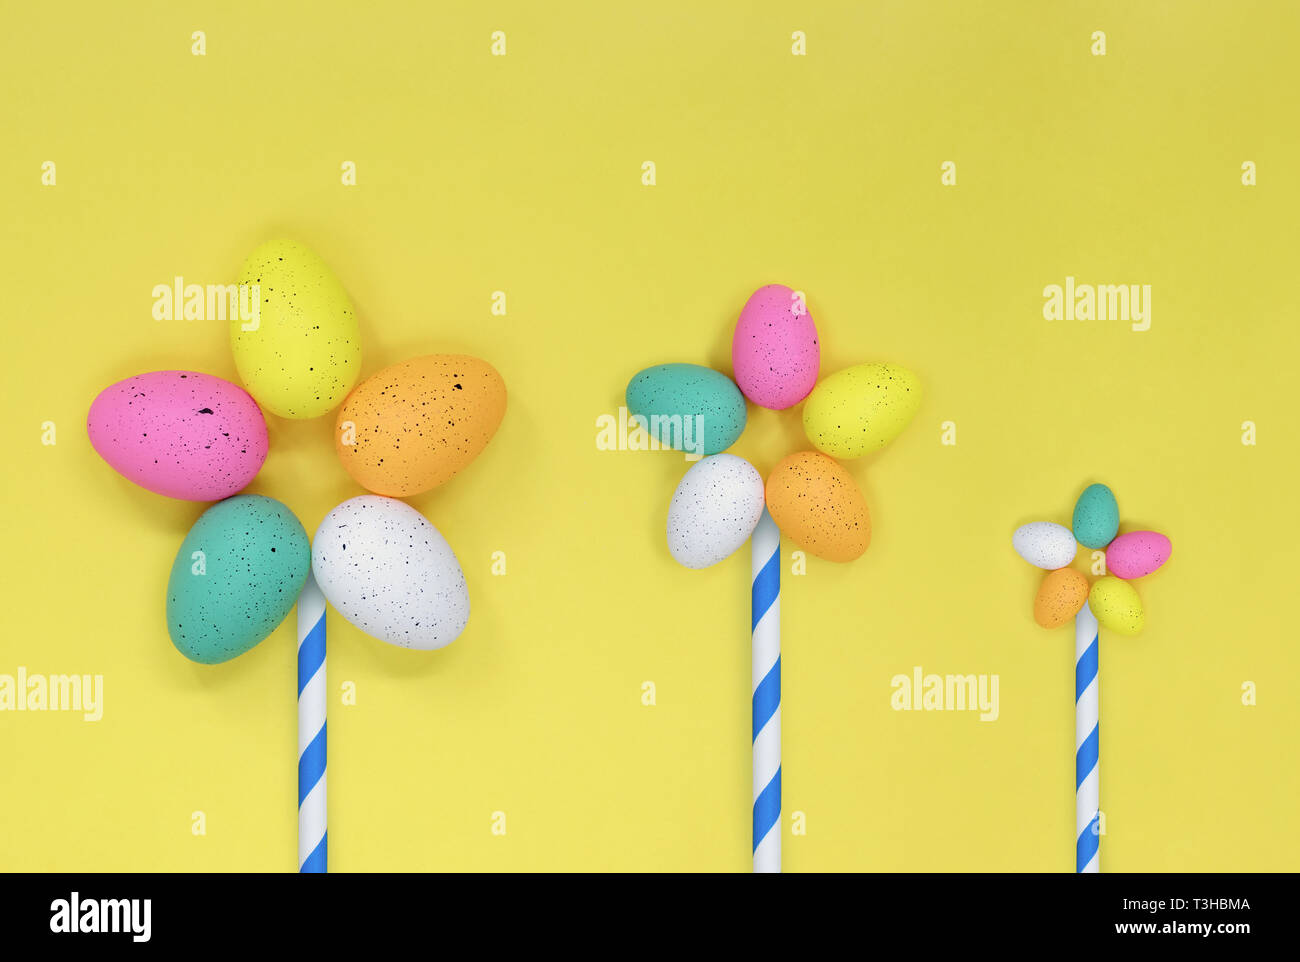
311, 729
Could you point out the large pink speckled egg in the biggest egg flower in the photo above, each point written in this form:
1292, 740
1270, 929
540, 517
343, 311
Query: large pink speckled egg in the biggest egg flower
180, 434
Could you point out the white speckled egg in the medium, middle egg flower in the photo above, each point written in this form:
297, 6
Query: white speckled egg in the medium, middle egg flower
714, 510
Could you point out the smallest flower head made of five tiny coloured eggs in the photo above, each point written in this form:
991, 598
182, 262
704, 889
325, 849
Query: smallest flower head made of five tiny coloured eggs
1095, 526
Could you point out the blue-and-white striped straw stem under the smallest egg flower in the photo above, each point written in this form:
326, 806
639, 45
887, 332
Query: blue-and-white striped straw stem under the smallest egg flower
1087, 773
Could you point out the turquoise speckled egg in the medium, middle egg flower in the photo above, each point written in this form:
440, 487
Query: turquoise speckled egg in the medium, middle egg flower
688, 408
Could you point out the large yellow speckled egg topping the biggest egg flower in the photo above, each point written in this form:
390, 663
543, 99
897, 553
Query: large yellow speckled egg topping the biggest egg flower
301, 353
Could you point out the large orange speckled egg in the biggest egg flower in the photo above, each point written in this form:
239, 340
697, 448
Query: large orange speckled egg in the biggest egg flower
411, 427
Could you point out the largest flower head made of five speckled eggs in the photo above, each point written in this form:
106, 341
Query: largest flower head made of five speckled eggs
401, 432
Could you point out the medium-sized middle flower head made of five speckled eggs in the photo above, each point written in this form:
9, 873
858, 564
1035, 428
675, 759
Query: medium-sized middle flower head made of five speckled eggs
777, 358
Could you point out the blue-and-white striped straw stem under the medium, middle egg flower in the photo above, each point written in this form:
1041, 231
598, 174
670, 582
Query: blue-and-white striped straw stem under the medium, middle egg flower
766, 558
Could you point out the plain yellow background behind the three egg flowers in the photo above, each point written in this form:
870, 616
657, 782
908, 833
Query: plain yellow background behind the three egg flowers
523, 174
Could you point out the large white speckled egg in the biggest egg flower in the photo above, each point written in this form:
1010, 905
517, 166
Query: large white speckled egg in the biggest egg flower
387, 570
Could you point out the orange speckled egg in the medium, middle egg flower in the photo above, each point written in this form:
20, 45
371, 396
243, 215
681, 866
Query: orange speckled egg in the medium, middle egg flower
817, 505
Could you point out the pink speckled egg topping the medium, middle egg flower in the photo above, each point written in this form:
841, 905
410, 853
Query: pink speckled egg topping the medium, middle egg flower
775, 350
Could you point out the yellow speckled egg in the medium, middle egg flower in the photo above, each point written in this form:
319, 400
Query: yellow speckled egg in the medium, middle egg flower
860, 410
